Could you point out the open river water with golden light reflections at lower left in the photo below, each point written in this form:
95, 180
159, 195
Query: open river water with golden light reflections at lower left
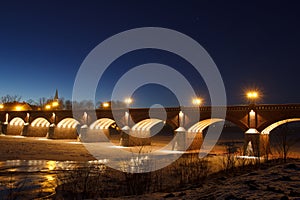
28, 179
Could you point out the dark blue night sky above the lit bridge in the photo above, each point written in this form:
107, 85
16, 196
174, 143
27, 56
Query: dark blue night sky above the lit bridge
253, 43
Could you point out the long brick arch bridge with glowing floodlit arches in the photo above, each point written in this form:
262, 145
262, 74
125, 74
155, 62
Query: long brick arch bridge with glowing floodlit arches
255, 120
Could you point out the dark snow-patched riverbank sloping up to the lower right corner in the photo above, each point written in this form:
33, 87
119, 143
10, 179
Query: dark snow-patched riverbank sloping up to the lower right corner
277, 182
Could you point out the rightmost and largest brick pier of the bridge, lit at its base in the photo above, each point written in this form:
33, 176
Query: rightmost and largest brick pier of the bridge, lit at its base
256, 144
